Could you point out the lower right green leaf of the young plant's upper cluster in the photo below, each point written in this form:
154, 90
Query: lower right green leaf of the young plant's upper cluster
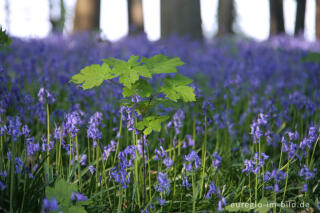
176, 88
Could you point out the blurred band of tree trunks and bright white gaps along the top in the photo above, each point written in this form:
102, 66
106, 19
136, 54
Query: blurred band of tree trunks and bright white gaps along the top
114, 19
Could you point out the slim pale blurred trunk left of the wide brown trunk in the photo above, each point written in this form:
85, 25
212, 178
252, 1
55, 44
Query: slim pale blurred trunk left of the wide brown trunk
57, 20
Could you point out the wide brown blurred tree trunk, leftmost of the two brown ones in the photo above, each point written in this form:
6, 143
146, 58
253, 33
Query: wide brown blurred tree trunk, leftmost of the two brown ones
87, 15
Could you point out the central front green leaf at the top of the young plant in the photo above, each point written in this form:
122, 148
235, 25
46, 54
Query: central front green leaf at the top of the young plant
128, 72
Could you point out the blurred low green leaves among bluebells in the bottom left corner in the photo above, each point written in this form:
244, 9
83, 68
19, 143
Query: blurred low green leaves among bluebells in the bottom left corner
62, 191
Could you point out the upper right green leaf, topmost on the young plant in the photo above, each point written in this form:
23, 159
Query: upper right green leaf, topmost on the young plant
162, 64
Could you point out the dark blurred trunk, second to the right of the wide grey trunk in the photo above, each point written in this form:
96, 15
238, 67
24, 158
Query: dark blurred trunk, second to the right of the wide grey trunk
276, 17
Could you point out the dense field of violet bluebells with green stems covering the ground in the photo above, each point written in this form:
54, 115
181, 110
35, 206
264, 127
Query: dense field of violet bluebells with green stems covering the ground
251, 136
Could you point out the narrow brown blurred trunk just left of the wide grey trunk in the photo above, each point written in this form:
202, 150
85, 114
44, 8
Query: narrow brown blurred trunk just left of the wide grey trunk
135, 15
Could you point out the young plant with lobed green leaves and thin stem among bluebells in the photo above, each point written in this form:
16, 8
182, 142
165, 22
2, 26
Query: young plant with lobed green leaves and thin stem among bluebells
139, 93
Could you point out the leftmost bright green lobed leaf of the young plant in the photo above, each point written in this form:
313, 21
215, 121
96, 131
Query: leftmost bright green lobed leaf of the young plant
92, 76
